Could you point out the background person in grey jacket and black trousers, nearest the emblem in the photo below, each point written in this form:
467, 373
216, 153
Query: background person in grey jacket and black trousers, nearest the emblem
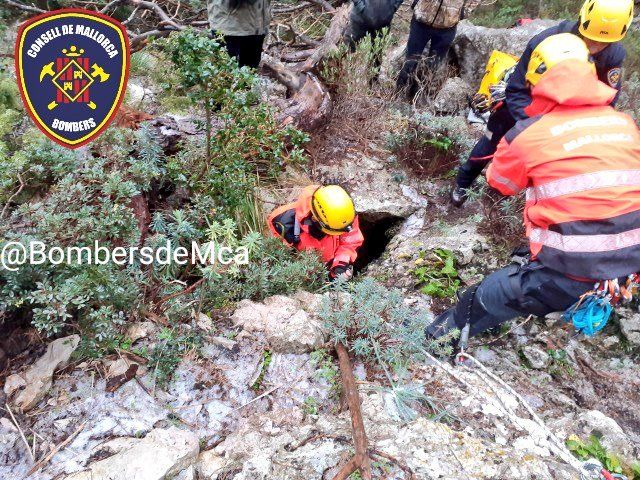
244, 24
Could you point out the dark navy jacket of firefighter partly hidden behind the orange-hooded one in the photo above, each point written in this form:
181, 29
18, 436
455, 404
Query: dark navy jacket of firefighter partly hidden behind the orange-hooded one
608, 65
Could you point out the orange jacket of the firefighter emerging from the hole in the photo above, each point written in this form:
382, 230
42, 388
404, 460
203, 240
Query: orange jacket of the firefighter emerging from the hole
338, 249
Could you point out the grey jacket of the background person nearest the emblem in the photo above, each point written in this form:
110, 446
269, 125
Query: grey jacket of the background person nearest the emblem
252, 17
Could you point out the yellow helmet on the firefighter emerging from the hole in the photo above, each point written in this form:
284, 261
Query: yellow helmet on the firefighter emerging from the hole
333, 209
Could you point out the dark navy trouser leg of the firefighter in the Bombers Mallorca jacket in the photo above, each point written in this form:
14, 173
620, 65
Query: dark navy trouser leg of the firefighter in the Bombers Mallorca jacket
514, 291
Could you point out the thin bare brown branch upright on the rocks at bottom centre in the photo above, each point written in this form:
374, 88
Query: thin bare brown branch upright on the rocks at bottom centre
361, 460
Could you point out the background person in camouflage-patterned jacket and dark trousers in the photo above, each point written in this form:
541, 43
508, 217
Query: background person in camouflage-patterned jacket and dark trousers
434, 21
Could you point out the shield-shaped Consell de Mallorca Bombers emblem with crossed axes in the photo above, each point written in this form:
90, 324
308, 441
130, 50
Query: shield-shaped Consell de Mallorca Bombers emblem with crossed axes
72, 67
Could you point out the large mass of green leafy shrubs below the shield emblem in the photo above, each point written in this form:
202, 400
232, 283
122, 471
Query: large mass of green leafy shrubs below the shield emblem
69, 198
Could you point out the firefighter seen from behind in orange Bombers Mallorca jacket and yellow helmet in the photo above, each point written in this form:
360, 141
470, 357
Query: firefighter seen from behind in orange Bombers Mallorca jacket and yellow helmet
579, 161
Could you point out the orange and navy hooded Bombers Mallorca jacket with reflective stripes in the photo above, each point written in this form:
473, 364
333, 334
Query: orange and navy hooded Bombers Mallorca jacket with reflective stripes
579, 160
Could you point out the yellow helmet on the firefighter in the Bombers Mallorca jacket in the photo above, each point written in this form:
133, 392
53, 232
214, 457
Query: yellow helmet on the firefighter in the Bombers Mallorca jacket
553, 50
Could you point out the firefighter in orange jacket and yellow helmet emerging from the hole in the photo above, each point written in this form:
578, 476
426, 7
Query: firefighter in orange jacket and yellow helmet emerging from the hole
324, 219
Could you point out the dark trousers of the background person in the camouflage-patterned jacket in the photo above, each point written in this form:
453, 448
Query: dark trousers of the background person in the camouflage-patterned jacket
420, 34
